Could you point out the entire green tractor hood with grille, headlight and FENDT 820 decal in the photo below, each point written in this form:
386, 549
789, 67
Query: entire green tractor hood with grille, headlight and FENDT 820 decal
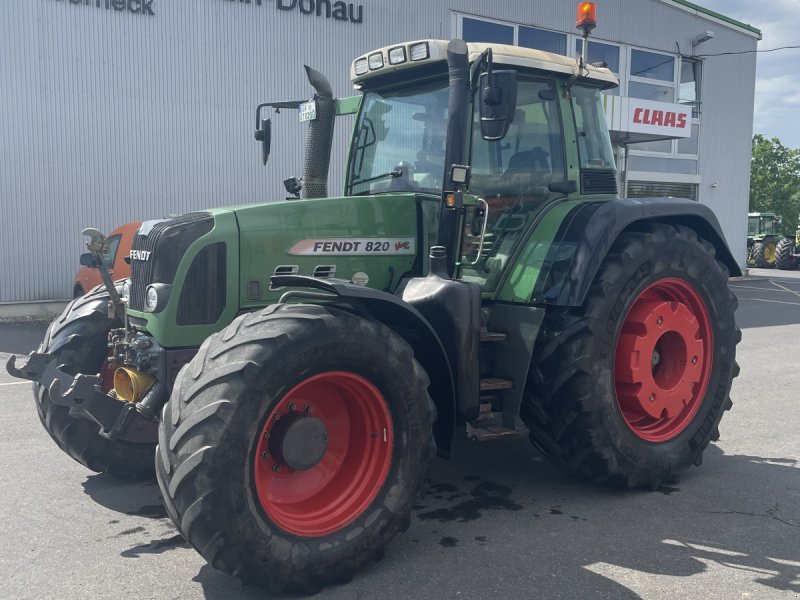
206, 267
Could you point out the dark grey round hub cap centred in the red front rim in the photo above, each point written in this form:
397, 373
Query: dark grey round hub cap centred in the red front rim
298, 441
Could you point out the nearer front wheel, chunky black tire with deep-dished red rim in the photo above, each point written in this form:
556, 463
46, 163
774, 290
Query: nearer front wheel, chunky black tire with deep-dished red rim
295, 444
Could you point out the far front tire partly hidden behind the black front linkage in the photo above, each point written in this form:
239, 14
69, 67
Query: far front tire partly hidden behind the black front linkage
78, 341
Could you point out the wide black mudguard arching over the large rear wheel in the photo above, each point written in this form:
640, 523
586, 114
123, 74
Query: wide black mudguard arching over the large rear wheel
589, 230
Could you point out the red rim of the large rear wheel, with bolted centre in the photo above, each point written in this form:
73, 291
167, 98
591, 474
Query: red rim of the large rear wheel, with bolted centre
663, 360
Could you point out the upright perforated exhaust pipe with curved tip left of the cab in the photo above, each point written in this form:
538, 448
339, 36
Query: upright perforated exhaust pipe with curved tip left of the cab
320, 138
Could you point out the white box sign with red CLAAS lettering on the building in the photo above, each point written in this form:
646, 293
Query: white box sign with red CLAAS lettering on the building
652, 120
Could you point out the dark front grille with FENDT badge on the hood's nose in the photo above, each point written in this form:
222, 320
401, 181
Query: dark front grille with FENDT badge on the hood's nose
167, 242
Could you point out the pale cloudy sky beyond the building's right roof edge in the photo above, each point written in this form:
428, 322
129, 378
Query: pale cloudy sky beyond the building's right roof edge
778, 74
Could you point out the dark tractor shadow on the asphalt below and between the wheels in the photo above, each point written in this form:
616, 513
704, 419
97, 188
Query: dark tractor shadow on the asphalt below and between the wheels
561, 538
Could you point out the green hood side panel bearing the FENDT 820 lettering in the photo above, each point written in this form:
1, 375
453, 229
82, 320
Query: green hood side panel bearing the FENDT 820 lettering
376, 236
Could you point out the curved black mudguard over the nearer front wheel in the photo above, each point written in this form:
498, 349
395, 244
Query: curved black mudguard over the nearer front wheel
408, 323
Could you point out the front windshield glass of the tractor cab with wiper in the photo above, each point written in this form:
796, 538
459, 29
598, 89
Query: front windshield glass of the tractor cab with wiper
400, 140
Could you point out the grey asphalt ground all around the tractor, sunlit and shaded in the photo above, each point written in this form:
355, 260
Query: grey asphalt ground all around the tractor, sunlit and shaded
497, 521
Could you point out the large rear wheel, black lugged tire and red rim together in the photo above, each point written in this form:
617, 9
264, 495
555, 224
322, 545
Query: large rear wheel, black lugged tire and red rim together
613, 395
